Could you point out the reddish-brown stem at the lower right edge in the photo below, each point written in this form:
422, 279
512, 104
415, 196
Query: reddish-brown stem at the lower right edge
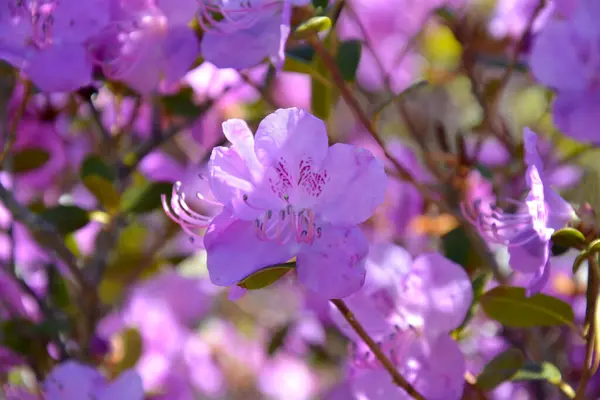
590, 364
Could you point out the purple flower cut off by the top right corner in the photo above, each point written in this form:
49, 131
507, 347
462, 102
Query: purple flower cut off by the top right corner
575, 78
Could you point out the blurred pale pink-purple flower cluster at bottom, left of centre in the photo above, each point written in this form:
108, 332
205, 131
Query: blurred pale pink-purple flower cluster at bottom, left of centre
162, 310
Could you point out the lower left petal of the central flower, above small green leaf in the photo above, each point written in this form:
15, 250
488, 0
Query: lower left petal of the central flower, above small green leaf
235, 252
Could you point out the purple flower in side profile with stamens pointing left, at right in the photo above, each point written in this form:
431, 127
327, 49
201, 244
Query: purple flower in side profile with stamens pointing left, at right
527, 232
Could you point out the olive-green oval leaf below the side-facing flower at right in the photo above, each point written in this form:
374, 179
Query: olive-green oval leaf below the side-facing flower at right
509, 306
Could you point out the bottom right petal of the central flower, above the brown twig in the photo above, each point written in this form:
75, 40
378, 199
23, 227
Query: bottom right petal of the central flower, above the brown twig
334, 266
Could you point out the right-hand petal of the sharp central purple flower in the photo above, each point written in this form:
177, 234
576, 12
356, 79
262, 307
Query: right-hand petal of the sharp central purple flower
358, 188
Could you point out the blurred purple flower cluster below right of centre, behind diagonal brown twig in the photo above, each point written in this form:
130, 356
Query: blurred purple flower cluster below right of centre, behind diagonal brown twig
410, 307
